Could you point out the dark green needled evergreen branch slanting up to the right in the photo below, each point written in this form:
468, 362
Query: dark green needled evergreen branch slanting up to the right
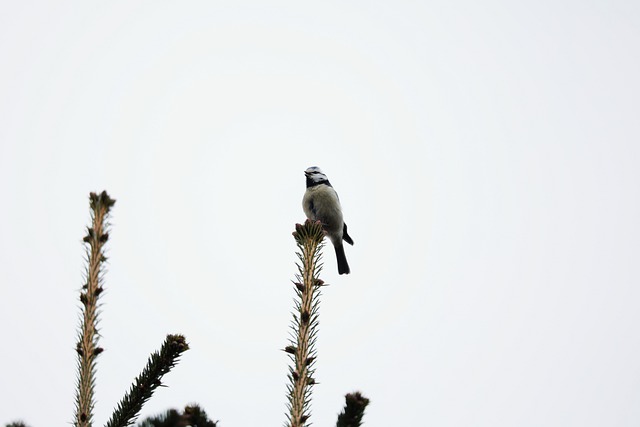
143, 387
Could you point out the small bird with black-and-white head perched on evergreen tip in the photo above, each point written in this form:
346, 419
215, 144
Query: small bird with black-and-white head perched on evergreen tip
321, 203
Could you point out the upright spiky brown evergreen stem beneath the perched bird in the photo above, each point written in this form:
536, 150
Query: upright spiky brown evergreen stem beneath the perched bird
309, 238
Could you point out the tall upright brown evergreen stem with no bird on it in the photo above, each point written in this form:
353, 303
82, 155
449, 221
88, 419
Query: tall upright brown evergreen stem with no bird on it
87, 346
